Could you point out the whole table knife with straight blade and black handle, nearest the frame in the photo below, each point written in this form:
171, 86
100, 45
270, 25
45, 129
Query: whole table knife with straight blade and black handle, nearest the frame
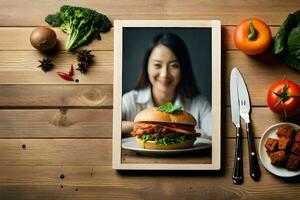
237, 174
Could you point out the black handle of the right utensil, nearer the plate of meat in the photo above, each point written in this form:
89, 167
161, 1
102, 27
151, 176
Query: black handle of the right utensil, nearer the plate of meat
253, 162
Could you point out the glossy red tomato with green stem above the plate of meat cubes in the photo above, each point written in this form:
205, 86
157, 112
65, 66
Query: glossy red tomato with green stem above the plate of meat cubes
284, 98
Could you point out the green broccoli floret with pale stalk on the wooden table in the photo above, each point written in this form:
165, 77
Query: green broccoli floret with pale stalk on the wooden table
81, 24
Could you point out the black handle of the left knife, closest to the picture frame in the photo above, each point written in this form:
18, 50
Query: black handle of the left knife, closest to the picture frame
237, 174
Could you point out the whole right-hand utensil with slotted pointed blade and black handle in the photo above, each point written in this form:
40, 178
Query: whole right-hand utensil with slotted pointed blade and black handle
245, 106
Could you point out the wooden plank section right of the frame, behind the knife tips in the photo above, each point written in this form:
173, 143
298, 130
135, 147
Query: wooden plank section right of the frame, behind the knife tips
259, 72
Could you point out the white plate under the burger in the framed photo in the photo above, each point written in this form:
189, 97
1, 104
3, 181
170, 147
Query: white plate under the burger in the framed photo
131, 144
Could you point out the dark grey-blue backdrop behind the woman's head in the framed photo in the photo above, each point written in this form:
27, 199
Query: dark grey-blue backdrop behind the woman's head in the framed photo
197, 40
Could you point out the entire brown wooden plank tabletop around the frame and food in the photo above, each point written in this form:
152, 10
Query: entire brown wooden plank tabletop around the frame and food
56, 136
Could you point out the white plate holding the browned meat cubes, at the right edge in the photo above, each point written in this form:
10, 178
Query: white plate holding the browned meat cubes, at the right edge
271, 133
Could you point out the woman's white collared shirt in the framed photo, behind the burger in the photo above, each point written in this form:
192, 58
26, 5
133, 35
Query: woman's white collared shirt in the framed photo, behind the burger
135, 101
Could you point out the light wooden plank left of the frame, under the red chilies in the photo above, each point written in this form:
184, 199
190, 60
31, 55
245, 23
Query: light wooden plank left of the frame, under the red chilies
20, 67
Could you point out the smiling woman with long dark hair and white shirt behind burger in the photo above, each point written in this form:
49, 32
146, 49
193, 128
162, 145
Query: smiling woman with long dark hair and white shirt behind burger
166, 76
